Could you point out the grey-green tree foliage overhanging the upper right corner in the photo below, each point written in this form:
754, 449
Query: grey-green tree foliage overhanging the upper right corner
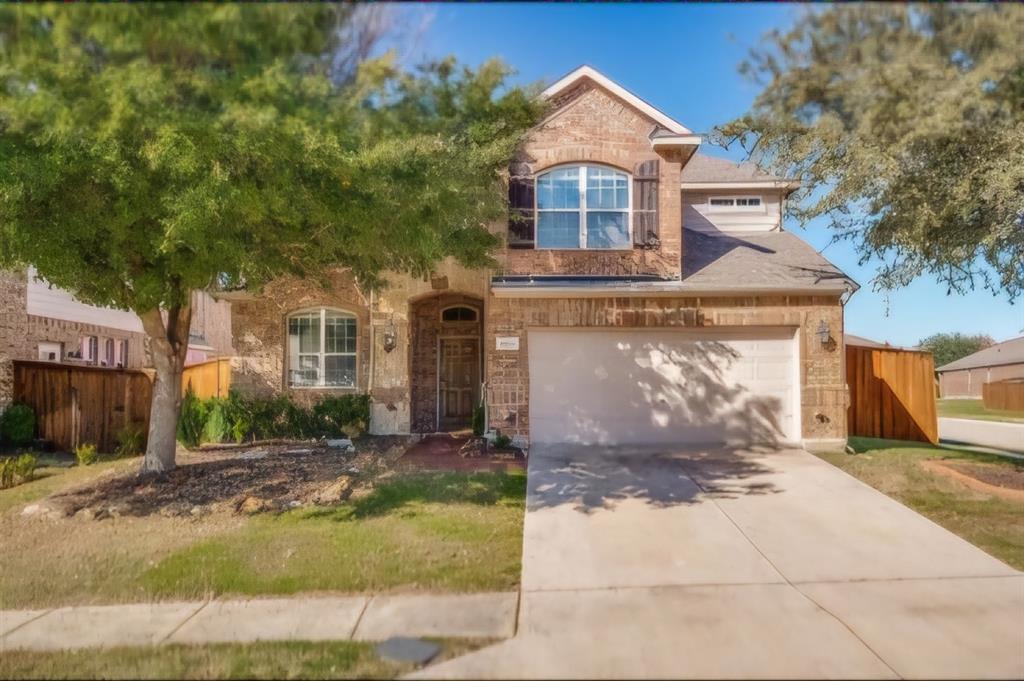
906, 124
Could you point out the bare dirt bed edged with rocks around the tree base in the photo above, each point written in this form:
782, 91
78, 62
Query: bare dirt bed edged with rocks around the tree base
250, 480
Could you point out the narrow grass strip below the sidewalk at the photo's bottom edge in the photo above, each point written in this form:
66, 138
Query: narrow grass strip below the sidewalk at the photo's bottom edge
294, 660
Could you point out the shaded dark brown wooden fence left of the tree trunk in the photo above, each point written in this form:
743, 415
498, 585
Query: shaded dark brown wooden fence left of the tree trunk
83, 405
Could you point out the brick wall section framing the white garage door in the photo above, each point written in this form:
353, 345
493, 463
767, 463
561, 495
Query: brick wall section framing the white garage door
824, 398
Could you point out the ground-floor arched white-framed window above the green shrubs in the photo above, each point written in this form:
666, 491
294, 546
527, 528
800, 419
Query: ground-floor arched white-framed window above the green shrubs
322, 350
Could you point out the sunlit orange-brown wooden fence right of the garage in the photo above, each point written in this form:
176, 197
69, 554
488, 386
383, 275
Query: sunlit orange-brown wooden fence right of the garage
892, 394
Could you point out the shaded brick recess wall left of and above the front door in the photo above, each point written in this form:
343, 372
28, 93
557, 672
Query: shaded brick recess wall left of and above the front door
429, 329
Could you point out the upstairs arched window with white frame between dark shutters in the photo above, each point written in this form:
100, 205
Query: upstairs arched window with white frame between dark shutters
583, 207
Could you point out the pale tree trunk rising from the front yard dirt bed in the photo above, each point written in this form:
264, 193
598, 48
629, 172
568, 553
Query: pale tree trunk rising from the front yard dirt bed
168, 346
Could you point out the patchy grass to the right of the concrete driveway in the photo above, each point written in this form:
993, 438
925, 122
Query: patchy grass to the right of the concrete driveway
893, 467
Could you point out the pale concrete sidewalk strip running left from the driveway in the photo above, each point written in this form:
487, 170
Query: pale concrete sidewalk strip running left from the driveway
324, 619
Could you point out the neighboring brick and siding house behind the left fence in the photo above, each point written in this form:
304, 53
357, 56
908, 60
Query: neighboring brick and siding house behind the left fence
41, 322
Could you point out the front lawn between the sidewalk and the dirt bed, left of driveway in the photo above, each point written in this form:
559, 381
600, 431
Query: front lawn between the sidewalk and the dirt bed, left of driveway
431, 532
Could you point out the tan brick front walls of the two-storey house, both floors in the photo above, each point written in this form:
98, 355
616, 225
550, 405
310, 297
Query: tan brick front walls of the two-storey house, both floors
591, 125
